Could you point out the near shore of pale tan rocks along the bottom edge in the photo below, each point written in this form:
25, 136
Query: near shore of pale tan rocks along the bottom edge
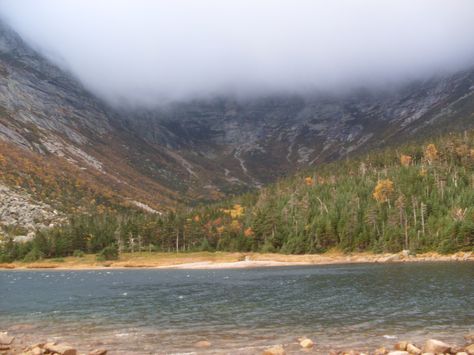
17, 344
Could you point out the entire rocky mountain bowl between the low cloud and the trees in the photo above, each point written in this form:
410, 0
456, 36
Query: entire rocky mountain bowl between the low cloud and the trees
67, 150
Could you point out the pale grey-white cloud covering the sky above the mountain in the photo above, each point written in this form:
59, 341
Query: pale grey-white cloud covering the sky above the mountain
145, 52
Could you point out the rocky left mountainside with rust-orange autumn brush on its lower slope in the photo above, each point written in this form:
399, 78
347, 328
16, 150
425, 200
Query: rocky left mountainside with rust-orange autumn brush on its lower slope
57, 137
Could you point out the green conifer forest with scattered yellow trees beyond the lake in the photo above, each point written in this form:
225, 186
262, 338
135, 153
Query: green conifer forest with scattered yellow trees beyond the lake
418, 197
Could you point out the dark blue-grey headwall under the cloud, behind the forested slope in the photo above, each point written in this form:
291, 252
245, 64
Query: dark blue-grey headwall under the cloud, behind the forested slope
253, 141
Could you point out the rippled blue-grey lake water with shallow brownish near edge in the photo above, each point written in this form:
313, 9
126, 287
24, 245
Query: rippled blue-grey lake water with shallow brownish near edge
241, 311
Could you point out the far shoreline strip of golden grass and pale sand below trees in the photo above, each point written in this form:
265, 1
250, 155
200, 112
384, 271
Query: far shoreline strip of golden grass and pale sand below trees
222, 260
